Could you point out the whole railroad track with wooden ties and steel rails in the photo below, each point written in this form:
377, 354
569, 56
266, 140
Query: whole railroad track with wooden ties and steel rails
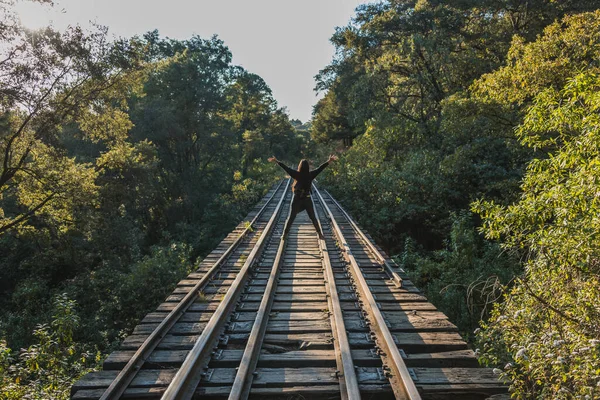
300, 318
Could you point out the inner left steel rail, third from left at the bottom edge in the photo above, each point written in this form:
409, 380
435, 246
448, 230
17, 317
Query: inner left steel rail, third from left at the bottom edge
242, 384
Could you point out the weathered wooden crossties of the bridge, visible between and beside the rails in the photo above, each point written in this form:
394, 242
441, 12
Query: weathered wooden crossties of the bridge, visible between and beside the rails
298, 355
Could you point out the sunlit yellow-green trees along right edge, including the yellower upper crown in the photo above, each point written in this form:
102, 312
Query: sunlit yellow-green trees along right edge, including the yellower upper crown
545, 333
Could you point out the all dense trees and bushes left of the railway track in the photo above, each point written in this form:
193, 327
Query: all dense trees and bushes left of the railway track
122, 163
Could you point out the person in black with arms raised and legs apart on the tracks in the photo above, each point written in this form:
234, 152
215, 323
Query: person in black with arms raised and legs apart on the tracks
303, 178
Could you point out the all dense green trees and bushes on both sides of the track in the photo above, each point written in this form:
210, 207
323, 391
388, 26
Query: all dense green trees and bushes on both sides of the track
470, 146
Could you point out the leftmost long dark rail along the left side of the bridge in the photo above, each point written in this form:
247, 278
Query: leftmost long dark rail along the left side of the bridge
129, 371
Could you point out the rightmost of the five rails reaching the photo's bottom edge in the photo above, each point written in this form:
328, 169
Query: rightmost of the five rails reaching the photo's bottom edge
400, 379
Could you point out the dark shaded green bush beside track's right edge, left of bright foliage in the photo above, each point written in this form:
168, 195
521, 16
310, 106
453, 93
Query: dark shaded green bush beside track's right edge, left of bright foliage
465, 278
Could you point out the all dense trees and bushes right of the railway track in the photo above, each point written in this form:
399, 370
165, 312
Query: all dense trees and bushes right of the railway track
467, 116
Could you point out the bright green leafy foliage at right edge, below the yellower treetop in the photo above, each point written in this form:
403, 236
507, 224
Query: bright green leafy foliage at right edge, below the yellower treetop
547, 329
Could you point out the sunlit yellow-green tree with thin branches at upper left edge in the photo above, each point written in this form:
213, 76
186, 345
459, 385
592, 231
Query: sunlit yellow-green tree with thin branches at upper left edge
51, 80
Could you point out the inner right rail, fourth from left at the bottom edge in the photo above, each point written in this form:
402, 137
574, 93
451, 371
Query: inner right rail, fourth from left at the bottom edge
349, 389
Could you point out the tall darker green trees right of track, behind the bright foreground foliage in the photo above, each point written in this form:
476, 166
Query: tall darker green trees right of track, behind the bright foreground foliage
419, 88
